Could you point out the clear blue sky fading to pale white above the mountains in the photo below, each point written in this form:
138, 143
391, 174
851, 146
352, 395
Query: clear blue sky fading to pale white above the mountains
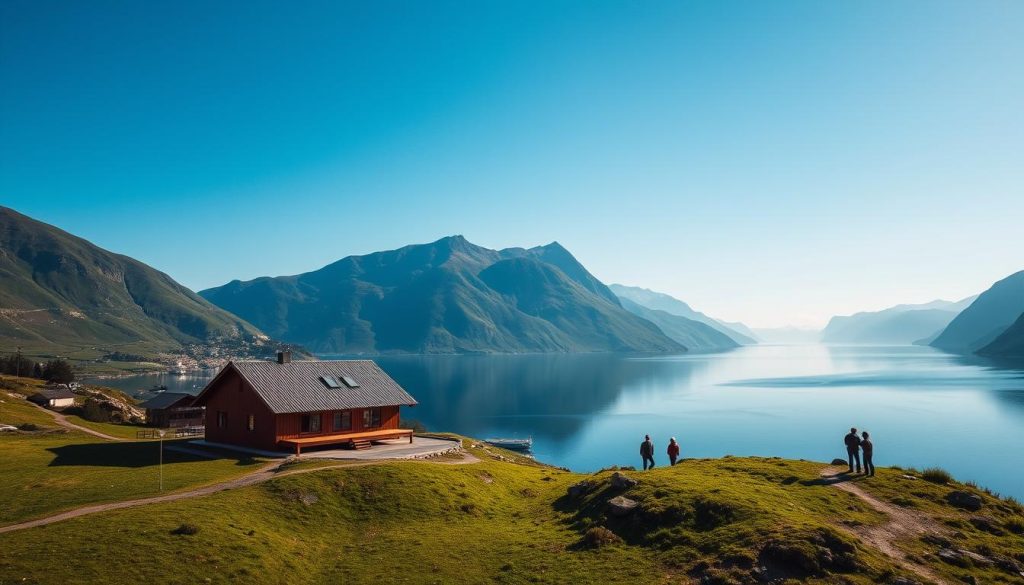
771, 162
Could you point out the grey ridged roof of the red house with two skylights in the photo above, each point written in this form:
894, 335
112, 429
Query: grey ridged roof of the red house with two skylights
296, 387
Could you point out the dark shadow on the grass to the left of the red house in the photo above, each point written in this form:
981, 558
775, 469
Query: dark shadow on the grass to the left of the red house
138, 454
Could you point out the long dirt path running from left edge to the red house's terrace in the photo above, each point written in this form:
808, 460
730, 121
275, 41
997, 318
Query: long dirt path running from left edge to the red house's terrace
270, 472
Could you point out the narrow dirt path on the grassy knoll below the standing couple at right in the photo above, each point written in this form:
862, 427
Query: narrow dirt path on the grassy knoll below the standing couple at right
903, 525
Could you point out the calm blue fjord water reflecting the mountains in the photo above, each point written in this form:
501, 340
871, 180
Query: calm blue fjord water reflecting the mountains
923, 408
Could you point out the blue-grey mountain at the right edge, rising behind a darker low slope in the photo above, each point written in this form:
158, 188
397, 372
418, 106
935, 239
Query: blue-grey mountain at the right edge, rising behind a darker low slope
987, 319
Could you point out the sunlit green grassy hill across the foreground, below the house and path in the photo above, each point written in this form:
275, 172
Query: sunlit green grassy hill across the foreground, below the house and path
506, 520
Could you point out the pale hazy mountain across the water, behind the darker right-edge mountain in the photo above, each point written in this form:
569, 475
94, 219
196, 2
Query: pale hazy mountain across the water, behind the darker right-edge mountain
904, 324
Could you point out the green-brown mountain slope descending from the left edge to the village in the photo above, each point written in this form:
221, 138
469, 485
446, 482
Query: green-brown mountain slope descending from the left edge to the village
60, 291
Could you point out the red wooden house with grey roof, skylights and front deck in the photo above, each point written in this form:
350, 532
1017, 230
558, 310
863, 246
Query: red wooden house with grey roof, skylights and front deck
290, 405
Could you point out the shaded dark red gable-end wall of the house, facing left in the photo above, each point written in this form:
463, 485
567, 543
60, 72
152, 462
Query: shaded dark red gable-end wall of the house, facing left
234, 397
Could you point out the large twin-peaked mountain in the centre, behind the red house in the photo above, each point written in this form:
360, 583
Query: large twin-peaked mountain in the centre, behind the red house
448, 297
